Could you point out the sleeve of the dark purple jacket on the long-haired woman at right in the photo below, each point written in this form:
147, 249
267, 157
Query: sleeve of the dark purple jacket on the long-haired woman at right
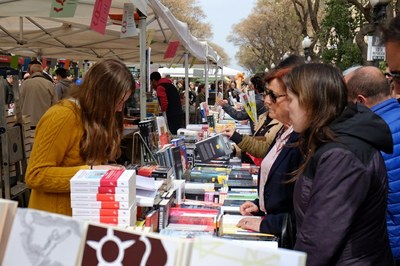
338, 189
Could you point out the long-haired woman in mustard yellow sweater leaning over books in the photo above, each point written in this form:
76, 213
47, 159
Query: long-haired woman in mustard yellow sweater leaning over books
81, 132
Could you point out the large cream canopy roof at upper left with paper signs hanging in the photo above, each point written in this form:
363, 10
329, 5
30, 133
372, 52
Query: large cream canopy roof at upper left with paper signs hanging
26, 29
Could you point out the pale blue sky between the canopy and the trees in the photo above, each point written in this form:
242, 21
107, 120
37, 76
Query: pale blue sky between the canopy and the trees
222, 14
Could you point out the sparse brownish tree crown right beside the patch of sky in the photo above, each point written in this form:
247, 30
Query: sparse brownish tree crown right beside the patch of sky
266, 35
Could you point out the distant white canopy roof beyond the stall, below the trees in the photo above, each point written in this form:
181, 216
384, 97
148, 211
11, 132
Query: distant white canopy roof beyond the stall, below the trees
179, 72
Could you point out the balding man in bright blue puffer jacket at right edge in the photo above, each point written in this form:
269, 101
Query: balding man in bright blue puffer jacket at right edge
368, 85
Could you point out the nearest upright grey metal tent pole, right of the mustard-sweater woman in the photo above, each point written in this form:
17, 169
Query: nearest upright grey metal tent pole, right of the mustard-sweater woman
143, 72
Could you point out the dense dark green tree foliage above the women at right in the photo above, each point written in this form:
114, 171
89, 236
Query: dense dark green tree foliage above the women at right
337, 35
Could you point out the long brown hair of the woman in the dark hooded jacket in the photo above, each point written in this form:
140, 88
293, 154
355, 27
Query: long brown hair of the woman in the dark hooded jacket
322, 92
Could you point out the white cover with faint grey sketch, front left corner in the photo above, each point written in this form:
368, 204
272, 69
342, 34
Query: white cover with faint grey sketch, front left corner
42, 238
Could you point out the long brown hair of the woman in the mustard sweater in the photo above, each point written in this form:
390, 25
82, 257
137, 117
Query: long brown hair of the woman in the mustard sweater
104, 87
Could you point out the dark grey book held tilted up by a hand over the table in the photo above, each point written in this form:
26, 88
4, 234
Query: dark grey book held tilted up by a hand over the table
213, 147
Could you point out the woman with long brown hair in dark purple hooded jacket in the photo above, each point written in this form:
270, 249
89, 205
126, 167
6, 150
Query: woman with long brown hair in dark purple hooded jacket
340, 195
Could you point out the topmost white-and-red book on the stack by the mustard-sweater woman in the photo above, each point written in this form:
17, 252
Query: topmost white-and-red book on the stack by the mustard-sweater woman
99, 178
